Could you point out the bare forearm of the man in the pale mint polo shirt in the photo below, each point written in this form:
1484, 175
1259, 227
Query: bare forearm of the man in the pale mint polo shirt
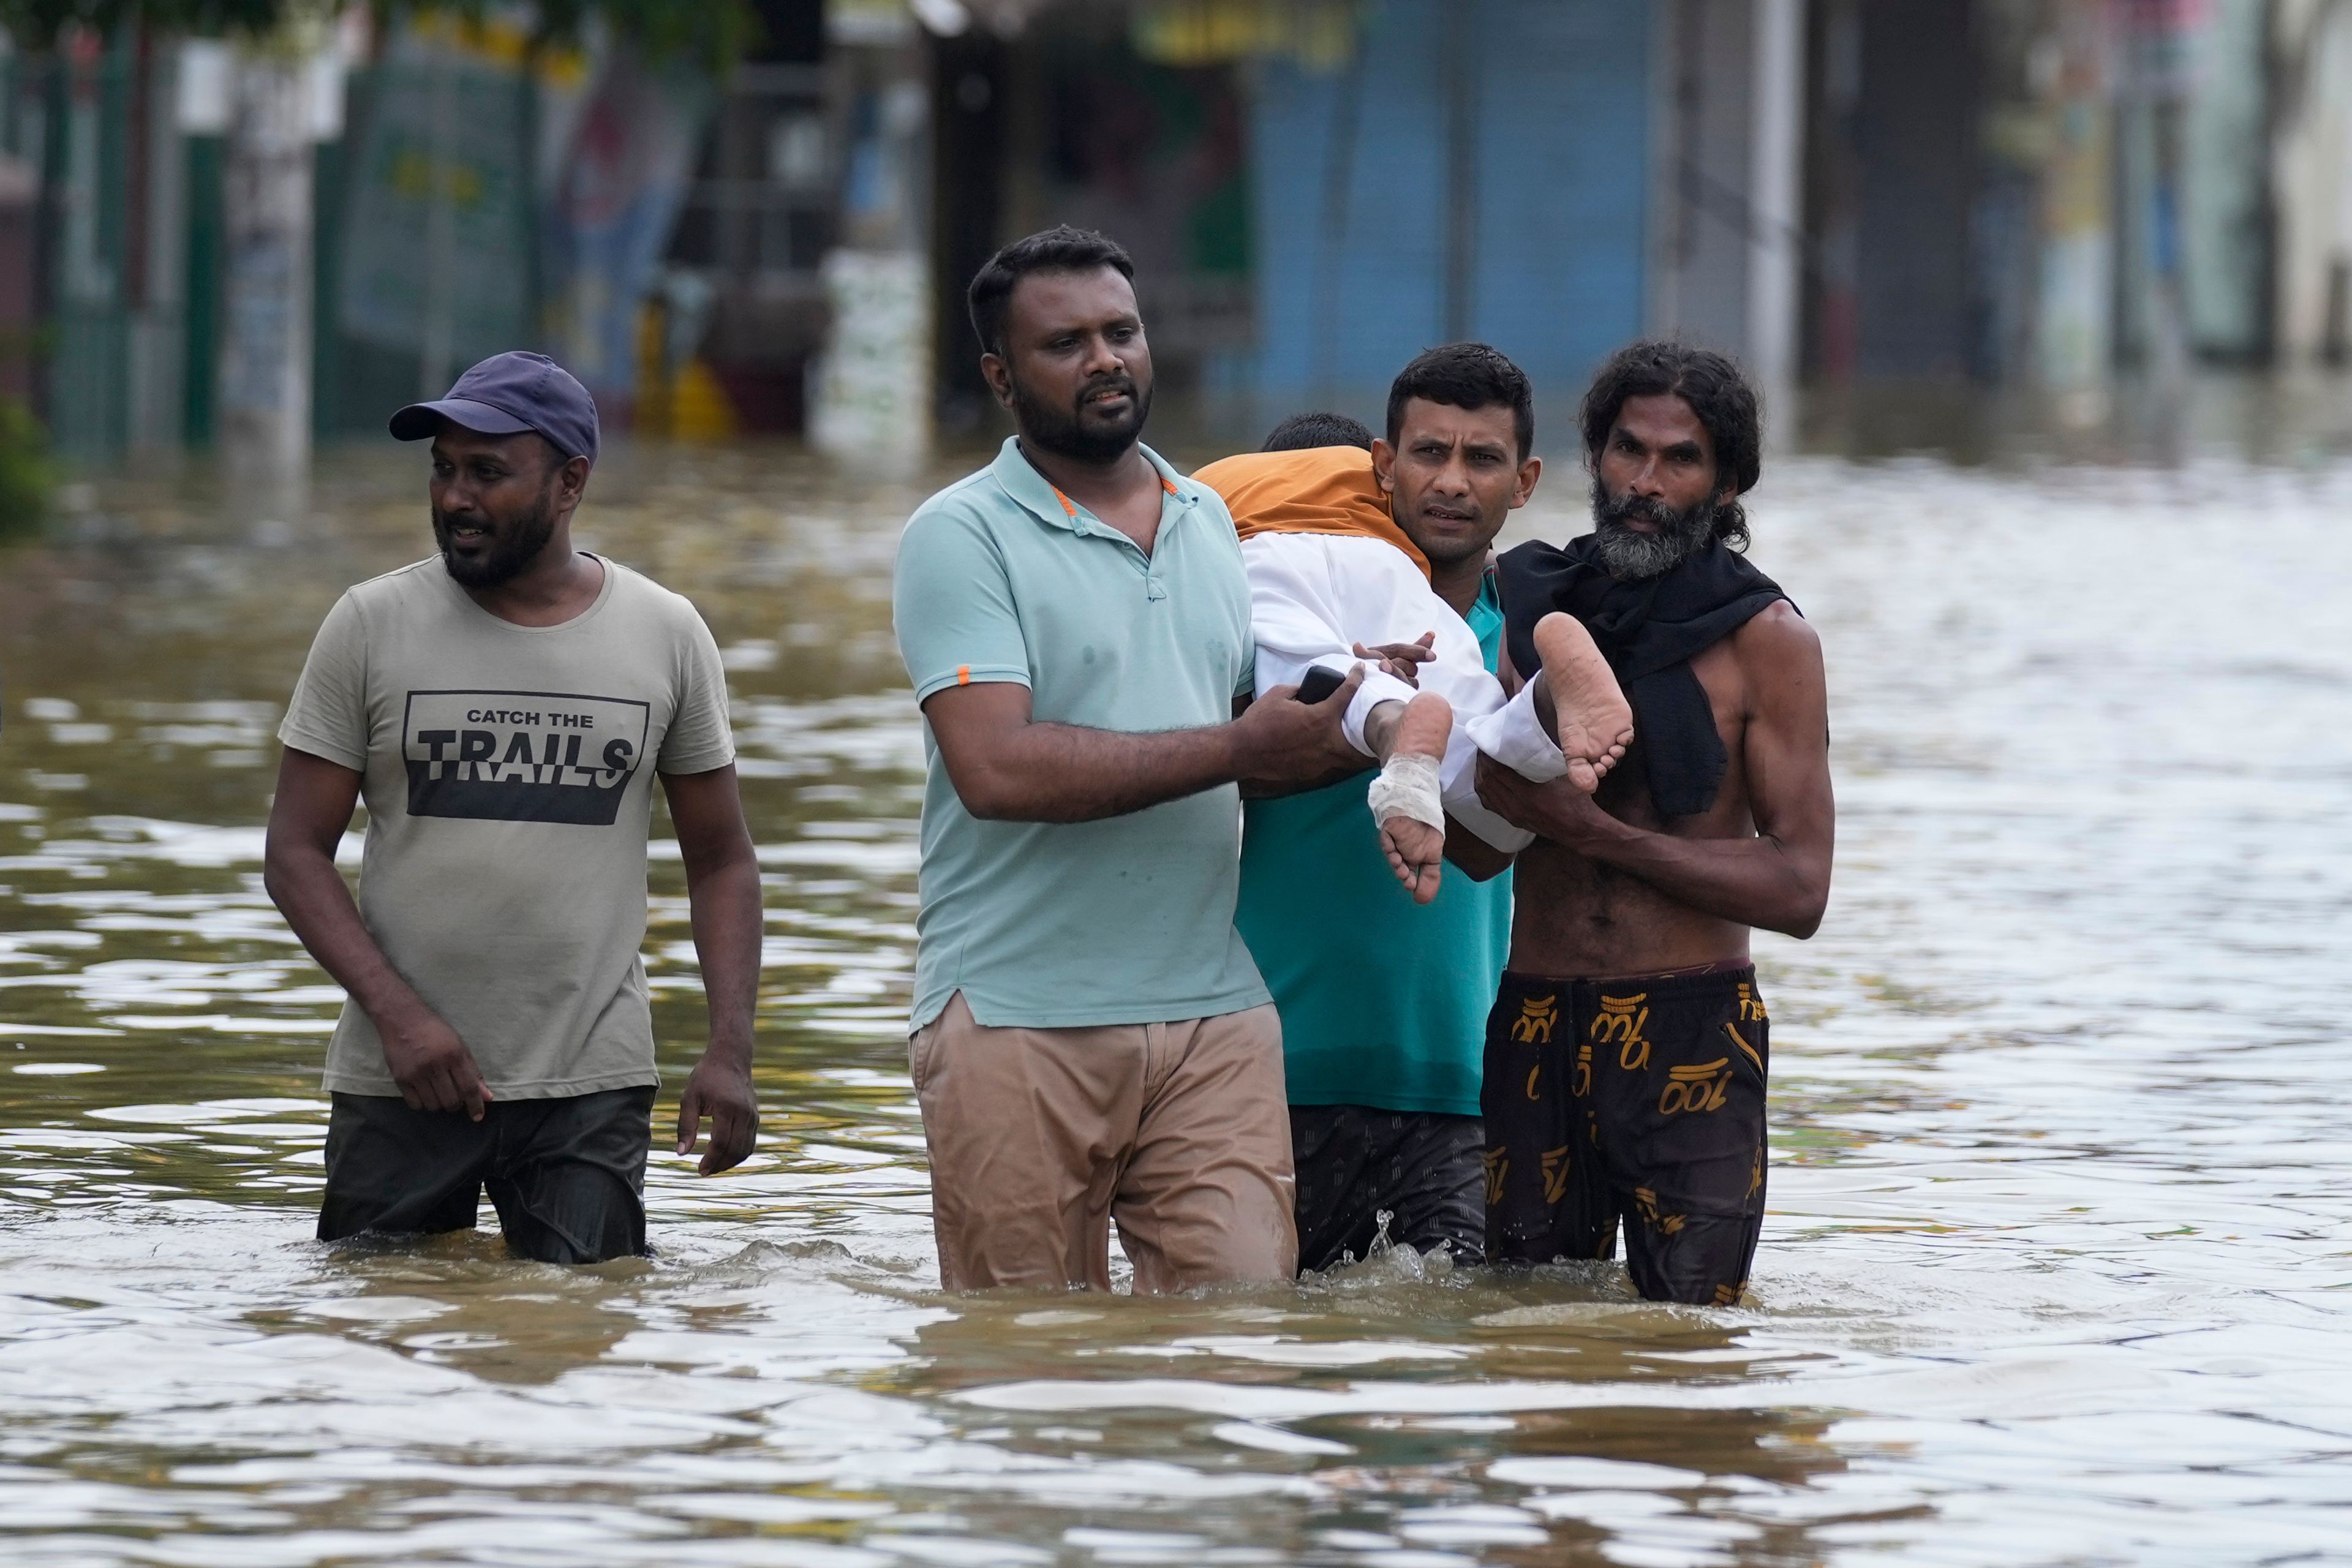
1071, 775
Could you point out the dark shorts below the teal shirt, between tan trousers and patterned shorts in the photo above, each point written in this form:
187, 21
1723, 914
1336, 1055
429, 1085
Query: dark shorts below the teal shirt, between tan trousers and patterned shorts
1419, 1167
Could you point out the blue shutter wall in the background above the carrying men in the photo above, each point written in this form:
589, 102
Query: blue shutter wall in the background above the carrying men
1563, 177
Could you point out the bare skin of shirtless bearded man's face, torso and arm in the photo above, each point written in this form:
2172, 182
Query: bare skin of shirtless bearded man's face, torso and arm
1612, 890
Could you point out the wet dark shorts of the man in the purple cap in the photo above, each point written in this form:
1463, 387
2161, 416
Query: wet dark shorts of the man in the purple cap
568, 1177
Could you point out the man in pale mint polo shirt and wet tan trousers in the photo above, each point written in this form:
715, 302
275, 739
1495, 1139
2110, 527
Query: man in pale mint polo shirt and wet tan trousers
1090, 1036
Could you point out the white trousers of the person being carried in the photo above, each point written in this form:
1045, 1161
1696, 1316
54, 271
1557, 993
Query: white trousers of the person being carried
1316, 596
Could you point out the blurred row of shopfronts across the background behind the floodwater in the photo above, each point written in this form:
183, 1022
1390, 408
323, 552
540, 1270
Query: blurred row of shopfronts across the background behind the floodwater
2064, 196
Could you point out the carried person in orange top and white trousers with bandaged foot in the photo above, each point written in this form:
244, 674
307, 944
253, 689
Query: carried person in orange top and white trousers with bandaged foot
1332, 575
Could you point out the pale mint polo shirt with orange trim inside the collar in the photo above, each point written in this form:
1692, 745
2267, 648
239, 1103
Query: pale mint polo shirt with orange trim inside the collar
1067, 925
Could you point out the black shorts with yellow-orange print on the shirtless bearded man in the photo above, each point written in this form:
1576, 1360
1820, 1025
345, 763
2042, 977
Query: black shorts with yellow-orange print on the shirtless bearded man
1629, 1099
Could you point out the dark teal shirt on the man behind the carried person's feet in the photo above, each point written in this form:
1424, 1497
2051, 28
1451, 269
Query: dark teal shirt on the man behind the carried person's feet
1384, 1003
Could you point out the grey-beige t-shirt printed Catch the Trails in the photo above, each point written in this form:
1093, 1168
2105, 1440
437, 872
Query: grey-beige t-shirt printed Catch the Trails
509, 784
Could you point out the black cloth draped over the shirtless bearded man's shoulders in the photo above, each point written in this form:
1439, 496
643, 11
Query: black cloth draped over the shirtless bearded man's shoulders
1648, 634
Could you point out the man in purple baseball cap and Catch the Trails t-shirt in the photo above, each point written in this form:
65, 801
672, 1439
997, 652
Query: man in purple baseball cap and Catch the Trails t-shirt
497, 709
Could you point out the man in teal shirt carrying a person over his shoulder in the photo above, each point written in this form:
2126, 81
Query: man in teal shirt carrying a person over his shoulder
1384, 1003
